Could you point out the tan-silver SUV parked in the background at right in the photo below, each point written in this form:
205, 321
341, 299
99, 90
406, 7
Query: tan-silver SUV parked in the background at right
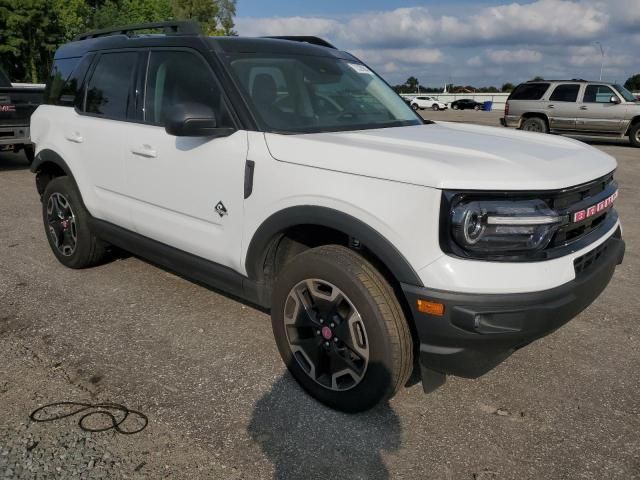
577, 107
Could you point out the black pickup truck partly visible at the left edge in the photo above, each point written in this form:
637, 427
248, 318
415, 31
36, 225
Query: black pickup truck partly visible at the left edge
17, 103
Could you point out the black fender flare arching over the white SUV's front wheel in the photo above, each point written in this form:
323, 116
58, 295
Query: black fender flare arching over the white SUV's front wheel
330, 218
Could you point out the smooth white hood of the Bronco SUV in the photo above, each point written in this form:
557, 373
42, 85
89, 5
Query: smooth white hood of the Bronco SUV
449, 156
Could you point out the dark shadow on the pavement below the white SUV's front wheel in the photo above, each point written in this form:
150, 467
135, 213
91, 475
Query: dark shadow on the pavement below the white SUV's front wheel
304, 439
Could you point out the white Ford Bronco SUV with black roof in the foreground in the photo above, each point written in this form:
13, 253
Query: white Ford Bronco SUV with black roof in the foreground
287, 173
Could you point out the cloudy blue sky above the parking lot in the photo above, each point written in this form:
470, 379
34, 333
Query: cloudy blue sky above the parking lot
464, 42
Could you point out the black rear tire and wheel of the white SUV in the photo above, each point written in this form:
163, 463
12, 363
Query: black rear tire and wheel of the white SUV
88, 250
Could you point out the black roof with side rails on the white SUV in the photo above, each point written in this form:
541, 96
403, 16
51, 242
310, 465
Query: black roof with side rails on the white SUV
177, 34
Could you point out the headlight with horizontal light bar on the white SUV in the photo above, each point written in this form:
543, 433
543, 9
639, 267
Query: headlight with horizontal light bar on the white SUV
485, 228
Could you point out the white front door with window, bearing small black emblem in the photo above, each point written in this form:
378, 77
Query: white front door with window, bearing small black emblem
186, 192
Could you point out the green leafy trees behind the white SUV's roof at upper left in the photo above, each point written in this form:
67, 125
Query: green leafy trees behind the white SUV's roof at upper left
32, 30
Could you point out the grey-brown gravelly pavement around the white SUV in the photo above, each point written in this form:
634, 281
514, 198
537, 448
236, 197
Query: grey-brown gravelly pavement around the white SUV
204, 369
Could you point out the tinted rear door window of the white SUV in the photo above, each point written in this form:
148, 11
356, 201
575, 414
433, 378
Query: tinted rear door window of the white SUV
109, 87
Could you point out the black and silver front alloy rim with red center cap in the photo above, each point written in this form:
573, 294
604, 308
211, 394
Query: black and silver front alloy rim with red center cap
326, 334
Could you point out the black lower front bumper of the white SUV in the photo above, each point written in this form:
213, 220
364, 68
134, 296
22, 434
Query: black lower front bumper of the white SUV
479, 331
